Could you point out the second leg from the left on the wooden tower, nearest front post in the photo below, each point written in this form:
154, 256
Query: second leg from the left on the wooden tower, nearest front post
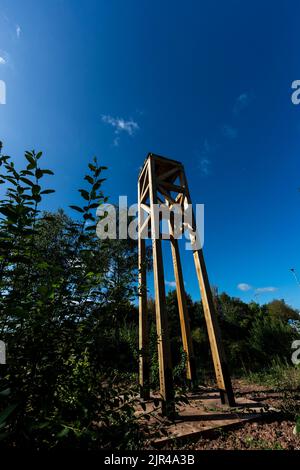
163, 343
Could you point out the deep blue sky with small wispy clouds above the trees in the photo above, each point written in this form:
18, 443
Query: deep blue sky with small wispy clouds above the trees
204, 82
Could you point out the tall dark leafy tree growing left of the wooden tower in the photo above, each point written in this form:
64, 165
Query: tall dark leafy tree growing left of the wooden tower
53, 294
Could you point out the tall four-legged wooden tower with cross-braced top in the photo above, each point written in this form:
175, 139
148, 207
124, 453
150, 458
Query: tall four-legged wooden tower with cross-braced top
163, 182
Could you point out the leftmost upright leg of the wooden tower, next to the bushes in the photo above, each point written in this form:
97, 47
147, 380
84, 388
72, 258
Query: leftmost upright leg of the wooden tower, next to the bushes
144, 369
